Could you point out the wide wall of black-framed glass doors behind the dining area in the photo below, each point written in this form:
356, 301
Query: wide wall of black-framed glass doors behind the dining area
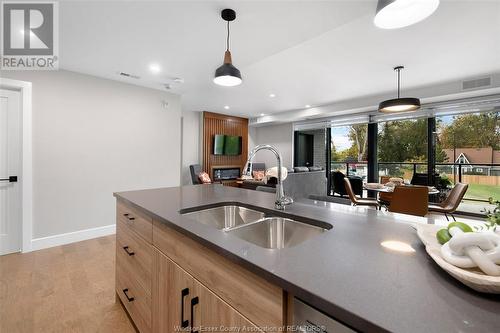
437, 147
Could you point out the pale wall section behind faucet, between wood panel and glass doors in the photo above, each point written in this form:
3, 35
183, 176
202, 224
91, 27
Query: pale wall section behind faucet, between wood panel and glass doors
280, 136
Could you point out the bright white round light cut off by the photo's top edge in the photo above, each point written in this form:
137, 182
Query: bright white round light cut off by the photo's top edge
394, 14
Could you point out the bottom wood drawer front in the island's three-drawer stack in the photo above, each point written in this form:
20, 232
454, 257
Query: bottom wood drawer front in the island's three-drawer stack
134, 298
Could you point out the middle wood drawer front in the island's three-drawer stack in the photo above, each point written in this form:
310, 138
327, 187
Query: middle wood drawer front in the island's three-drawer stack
134, 254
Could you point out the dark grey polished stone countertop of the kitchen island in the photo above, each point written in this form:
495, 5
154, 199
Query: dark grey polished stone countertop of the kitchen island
344, 272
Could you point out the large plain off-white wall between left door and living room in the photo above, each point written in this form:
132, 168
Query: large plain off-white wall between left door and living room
92, 137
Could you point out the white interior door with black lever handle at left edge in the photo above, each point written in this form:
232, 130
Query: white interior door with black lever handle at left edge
10, 167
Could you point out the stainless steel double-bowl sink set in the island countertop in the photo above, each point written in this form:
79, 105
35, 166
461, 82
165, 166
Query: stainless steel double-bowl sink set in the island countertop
256, 227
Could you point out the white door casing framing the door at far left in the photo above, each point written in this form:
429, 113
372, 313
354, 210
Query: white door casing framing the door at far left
26, 178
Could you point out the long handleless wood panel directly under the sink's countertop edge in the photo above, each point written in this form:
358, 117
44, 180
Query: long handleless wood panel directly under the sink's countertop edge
255, 298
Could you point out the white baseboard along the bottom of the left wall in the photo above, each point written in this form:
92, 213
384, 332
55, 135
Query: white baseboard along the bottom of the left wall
72, 237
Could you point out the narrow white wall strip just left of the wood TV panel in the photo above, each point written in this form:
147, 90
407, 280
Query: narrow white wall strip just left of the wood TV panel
191, 136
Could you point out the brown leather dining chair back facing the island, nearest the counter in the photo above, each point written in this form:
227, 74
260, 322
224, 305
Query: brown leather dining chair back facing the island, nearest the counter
412, 200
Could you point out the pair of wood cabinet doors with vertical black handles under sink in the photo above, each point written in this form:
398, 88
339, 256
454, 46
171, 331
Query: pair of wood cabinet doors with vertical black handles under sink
180, 303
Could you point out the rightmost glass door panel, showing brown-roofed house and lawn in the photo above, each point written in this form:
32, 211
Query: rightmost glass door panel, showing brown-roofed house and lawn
469, 149
